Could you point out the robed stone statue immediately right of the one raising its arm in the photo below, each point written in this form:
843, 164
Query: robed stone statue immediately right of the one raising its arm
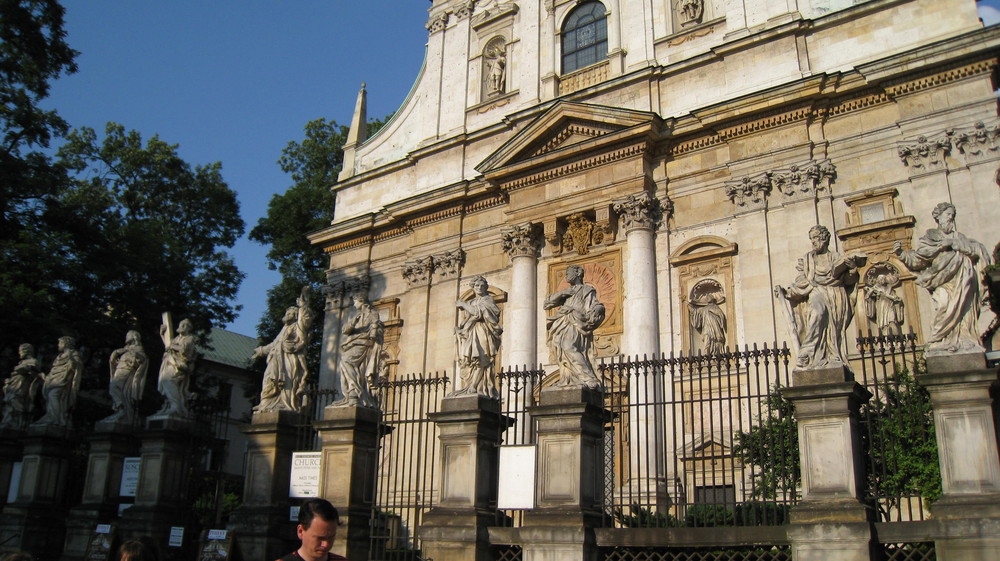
362, 352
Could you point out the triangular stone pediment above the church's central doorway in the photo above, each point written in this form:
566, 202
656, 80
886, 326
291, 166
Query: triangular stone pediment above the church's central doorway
567, 125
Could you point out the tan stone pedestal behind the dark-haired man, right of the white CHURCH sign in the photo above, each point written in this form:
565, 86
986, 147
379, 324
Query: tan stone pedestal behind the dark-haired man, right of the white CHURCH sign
350, 437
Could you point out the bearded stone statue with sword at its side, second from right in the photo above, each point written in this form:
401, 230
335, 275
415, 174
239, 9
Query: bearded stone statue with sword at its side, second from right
820, 304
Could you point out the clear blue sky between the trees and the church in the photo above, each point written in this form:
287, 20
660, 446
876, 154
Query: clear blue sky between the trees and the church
236, 80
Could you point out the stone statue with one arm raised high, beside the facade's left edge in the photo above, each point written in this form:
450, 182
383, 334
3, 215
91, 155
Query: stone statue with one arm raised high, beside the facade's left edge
285, 375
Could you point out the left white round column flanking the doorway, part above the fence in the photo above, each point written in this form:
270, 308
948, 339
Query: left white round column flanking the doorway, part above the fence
521, 243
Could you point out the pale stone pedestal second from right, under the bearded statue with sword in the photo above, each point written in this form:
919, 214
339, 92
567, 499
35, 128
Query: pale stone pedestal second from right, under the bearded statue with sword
830, 523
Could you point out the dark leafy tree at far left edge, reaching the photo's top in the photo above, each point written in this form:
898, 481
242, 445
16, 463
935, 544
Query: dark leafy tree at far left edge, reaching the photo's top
33, 52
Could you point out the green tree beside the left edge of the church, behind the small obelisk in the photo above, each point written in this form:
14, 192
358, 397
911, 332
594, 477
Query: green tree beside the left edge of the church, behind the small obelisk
313, 164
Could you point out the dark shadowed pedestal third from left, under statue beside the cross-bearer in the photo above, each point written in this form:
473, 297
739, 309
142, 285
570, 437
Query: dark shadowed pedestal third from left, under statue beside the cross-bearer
99, 504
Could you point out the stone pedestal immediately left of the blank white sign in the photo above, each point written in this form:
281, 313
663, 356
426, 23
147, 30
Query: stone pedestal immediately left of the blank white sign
457, 528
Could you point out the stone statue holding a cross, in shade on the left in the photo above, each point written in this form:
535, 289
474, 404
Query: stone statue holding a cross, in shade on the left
176, 369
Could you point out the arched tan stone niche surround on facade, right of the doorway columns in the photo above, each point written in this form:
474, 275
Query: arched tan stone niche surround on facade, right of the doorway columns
705, 268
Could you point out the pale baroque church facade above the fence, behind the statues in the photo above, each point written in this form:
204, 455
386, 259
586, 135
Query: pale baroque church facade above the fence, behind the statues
679, 151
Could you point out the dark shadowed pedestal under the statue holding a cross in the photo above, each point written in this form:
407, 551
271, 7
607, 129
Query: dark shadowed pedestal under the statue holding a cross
161, 499
